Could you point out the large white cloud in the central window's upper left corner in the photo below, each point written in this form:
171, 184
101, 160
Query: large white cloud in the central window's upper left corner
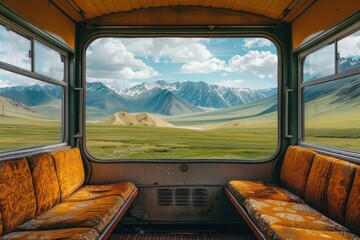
109, 58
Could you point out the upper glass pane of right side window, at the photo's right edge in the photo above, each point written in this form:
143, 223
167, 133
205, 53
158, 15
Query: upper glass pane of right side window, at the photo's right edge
349, 52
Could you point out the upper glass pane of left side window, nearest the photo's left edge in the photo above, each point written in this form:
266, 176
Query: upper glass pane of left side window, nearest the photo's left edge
14, 49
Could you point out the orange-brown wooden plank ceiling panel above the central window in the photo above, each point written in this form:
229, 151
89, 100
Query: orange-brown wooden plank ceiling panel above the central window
95, 9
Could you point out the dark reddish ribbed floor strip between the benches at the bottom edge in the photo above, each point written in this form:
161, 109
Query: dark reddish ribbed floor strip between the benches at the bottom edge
181, 236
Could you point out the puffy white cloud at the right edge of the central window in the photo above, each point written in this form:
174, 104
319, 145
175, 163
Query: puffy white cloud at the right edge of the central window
262, 64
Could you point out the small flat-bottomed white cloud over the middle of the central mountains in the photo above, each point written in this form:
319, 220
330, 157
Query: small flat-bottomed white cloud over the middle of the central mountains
207, 66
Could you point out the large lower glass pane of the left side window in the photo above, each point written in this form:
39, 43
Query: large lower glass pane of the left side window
30, 112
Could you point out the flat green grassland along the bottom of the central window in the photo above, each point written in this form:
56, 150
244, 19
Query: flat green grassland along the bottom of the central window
130, 142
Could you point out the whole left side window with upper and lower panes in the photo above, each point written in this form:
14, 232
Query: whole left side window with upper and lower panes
32, 92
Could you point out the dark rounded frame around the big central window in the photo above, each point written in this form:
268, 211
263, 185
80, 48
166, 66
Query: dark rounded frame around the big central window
189, 33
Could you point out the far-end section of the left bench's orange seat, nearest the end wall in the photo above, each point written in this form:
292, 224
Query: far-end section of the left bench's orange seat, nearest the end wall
90, 192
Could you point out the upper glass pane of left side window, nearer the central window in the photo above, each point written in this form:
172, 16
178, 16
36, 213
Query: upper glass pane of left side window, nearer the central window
48, 62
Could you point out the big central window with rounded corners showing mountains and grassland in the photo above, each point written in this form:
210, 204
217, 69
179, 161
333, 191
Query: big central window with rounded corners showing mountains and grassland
181, 98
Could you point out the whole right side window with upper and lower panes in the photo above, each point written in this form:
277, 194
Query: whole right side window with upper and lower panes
331, 94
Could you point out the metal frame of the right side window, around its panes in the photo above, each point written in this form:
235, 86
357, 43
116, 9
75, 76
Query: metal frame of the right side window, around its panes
342, 153
